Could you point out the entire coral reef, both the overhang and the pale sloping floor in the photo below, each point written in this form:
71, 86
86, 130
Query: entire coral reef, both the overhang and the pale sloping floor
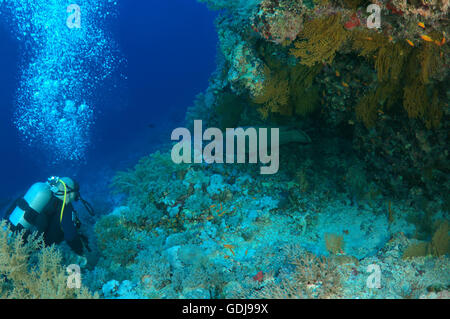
364, 115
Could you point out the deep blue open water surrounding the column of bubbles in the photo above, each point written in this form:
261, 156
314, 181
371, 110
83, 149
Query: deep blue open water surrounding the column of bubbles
169, 48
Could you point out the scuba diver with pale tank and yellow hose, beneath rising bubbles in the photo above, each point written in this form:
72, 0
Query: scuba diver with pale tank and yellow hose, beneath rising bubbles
48, 209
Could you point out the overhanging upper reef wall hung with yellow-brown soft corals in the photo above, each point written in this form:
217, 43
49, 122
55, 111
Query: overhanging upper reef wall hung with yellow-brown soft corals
386, 87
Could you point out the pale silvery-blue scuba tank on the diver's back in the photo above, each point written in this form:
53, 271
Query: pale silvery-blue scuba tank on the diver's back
32, 204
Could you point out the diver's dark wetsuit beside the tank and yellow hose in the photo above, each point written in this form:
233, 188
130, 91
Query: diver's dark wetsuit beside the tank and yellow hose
54, 230
